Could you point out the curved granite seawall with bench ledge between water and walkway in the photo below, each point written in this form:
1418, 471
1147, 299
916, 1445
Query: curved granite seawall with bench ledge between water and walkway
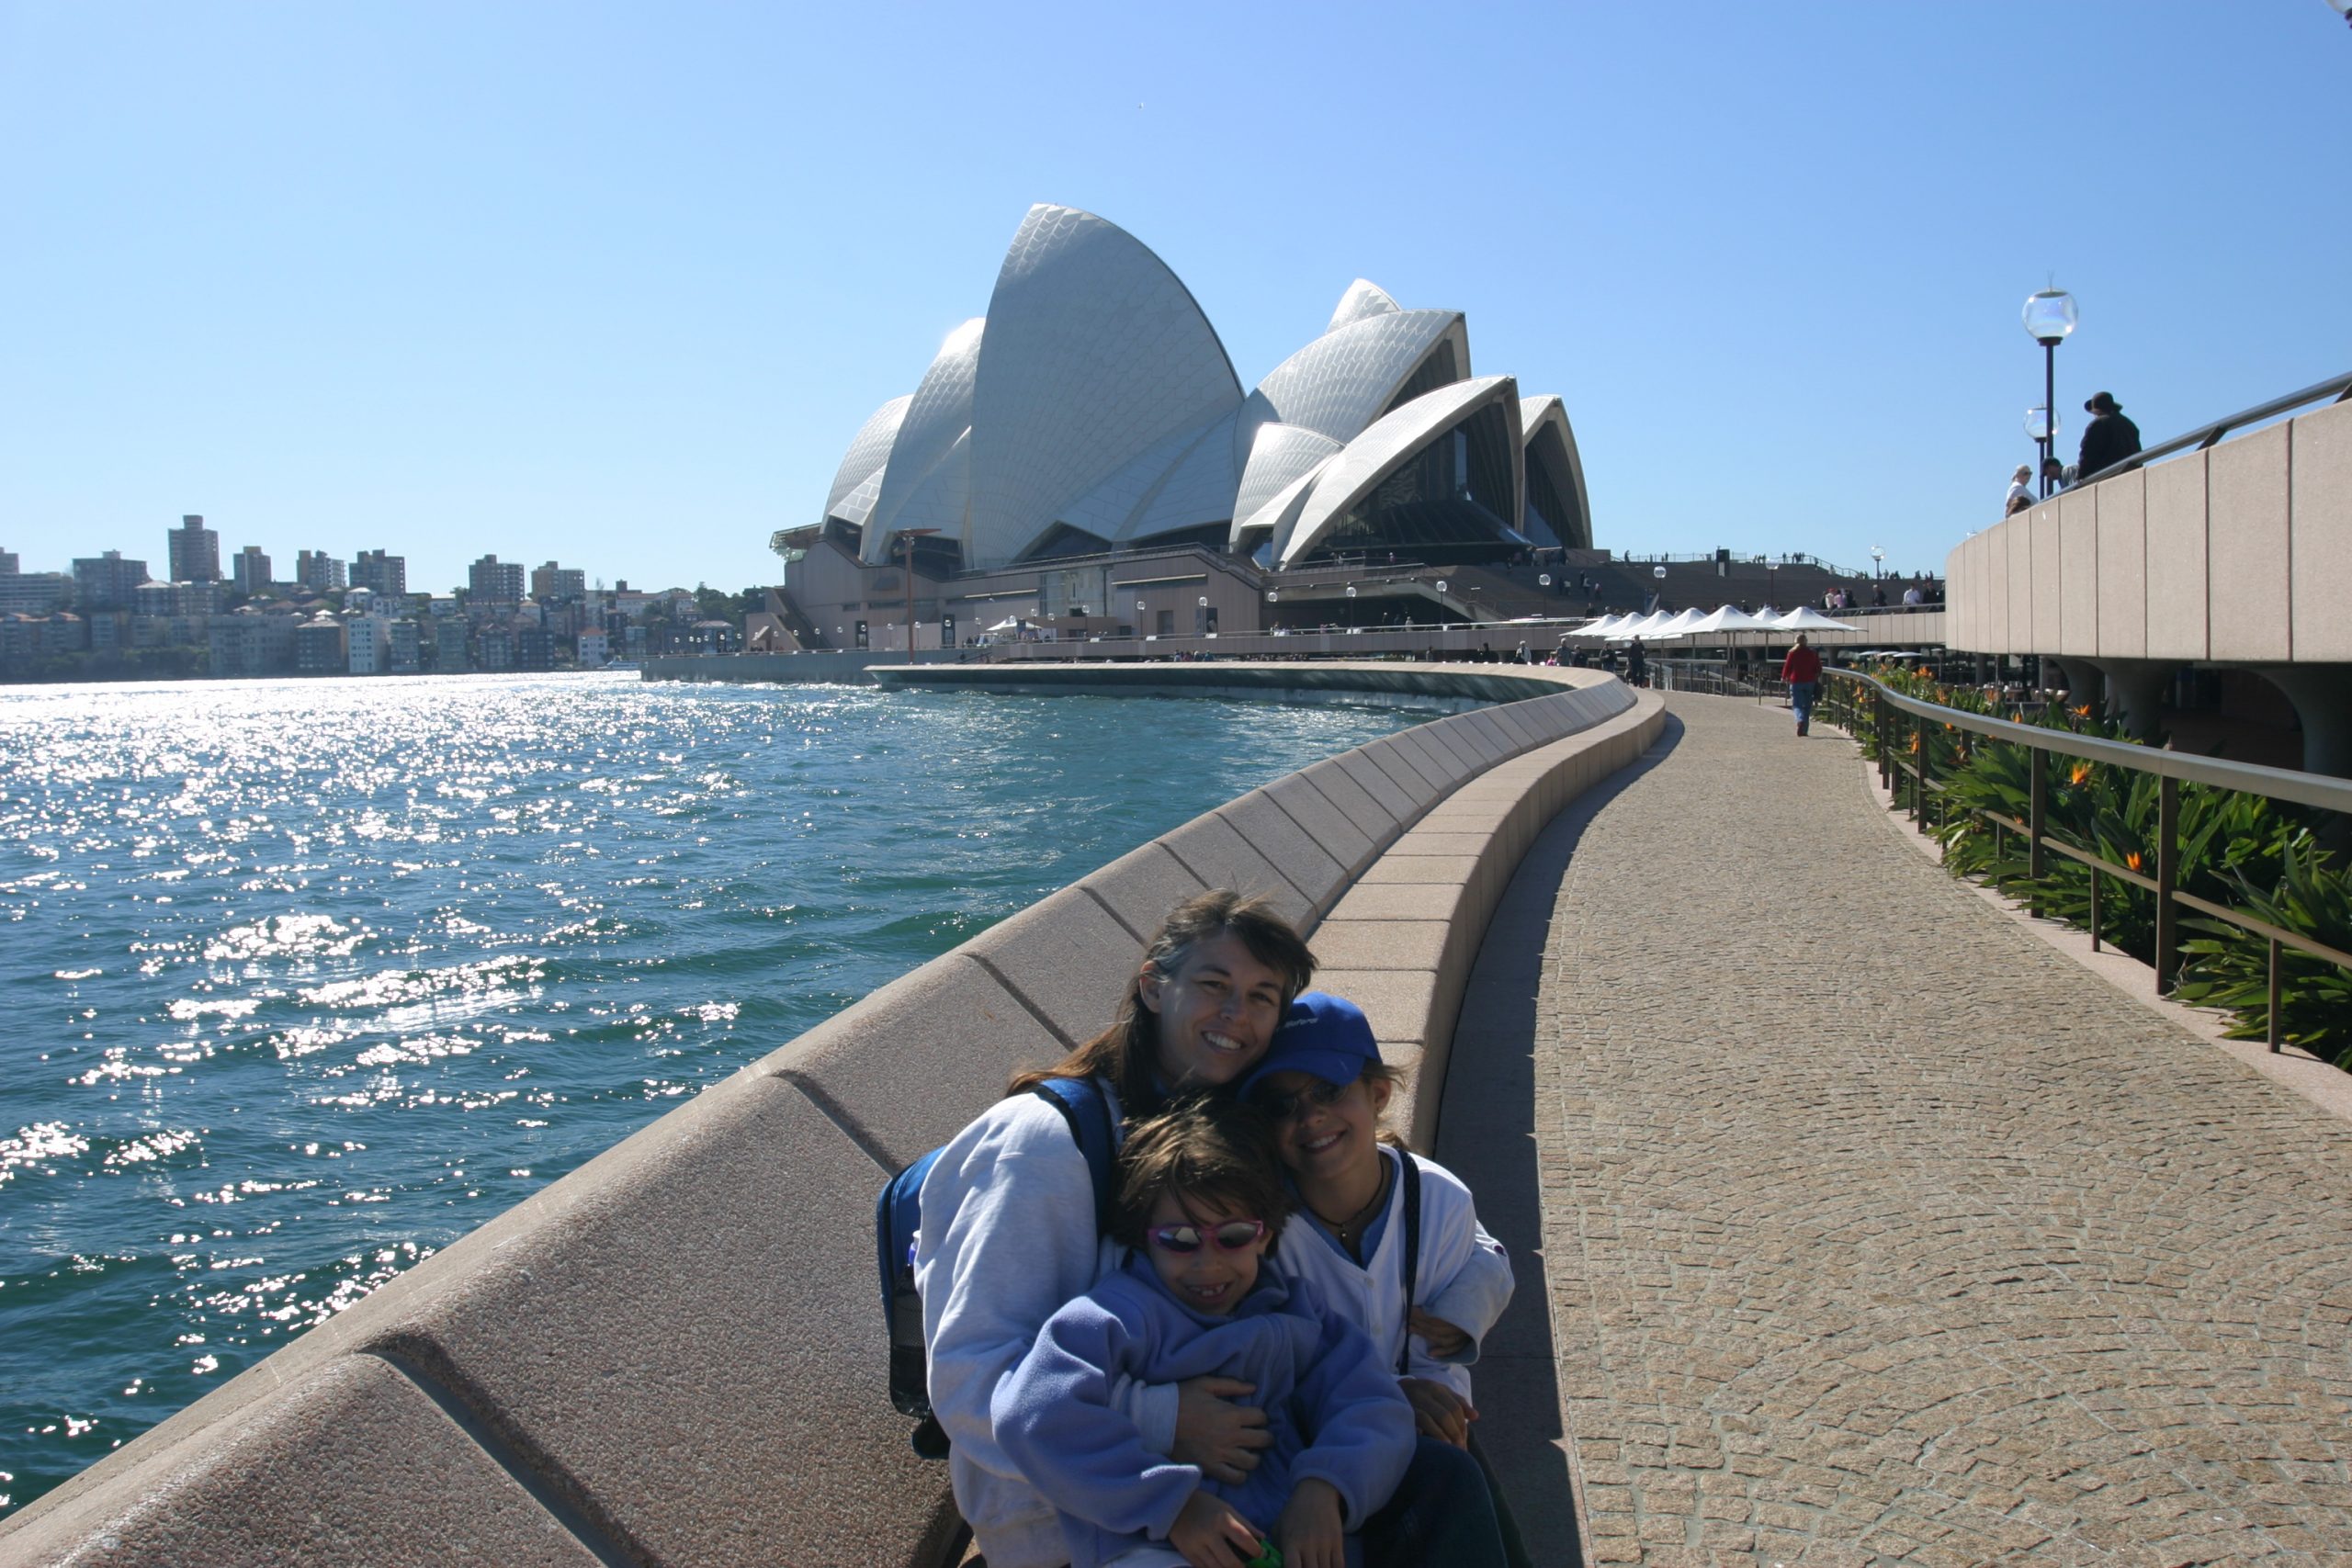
674, 1355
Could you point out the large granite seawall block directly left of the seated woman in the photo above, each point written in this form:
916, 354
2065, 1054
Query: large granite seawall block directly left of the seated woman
632, 1351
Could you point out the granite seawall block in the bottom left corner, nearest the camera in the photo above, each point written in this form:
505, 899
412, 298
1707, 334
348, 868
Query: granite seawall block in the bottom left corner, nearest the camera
352, 1466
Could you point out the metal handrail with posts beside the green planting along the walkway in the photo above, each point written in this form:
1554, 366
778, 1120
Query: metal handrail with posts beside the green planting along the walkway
2172, 770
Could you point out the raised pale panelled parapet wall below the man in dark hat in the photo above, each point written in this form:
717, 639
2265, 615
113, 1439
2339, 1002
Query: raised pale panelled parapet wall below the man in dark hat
2238, 556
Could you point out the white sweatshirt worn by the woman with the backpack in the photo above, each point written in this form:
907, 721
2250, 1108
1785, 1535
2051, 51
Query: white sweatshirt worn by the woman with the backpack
1008, 1238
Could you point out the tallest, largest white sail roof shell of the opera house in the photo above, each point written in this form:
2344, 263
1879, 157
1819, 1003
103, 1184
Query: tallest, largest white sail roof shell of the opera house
1095, 356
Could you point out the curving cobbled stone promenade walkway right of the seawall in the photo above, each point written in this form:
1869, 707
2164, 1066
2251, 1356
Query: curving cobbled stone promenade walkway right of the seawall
1873, 1228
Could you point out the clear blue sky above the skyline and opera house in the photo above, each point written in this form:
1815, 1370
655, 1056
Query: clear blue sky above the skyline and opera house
615, 283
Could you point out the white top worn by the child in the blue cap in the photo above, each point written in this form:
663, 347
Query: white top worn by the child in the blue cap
1464, 1275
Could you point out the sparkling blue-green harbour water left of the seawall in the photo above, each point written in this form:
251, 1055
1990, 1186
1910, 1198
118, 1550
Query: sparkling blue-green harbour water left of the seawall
300, 981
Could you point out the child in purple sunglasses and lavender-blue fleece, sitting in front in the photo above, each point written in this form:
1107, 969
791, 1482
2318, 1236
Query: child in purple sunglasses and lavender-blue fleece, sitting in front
1201, 1202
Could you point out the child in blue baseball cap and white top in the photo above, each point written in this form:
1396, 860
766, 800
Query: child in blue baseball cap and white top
1370, 1207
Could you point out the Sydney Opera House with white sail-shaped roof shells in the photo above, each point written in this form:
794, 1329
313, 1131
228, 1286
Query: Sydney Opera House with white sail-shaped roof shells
1093, 417
